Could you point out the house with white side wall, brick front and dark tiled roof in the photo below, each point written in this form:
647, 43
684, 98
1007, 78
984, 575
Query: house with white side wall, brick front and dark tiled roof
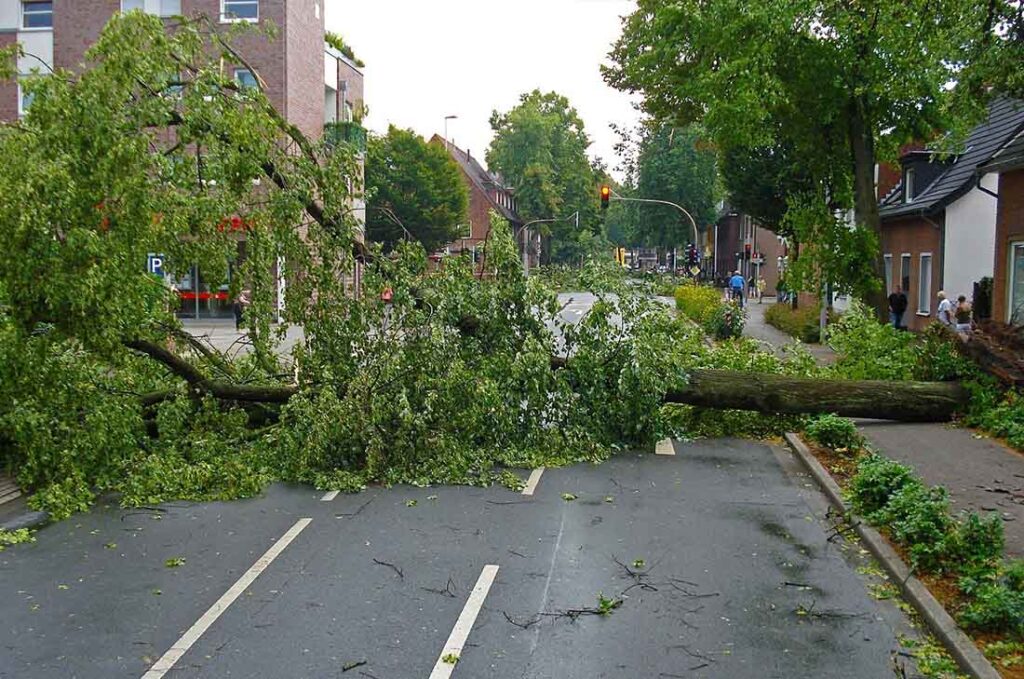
938, 222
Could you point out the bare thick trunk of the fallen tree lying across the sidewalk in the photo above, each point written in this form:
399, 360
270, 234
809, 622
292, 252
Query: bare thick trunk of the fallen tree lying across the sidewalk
907, 402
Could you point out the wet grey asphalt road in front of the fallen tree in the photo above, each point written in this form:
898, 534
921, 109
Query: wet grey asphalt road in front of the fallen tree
716, 562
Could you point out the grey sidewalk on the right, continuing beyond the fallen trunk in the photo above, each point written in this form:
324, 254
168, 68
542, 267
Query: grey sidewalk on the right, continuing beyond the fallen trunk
982, 476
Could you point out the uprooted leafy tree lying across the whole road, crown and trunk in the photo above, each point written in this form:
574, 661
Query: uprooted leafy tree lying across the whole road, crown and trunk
155, 149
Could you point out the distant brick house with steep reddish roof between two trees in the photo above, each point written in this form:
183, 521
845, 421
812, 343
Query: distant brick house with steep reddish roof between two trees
488, 193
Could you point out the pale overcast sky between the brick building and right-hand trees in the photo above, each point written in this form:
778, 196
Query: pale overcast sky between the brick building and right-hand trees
431, 59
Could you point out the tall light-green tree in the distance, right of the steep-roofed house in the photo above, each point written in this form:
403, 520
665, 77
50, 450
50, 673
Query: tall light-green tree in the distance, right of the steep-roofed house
540, 148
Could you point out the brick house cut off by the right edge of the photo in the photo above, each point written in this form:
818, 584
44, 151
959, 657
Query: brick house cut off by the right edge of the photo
1008, 287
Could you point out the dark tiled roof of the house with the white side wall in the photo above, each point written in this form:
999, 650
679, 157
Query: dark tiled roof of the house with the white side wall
1006, 119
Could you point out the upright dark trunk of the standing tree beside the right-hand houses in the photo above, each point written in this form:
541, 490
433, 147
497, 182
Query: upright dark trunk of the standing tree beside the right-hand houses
866, 206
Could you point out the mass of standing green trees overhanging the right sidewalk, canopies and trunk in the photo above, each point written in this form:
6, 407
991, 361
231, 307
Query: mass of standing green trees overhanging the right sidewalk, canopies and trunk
803, 99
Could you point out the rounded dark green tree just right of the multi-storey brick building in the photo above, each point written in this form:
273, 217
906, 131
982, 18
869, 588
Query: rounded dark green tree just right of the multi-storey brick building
415, 190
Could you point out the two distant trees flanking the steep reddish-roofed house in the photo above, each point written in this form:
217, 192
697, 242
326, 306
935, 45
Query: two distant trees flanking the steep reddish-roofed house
540, 149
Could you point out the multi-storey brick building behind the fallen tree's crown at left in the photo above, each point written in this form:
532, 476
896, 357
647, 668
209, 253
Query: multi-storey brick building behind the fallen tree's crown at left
316, 88
